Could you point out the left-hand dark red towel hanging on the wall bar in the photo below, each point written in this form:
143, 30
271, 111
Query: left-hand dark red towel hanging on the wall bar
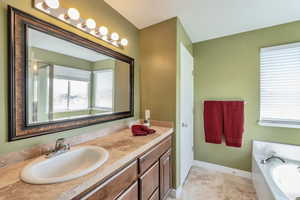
213, 121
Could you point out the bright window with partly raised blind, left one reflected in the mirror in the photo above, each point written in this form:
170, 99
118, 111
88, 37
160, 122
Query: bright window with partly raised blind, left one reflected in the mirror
70, 89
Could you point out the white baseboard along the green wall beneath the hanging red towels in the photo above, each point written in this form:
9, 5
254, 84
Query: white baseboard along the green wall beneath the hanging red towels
222, 169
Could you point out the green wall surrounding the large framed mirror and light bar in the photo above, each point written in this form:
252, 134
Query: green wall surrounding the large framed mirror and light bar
104, 15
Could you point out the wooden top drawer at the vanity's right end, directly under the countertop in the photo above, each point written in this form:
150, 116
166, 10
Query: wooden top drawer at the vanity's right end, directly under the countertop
153, 155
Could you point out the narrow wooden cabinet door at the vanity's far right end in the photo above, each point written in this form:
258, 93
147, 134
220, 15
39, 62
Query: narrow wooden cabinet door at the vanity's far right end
165, 174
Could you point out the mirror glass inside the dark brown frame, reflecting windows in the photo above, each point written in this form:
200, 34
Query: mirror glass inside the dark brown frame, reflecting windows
68, 81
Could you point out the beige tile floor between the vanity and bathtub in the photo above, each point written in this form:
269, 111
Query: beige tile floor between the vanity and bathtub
204, 184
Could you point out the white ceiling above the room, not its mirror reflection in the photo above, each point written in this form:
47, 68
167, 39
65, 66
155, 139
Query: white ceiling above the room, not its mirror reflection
207, 19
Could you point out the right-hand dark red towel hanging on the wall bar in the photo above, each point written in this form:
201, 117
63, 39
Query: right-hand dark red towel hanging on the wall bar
233, 122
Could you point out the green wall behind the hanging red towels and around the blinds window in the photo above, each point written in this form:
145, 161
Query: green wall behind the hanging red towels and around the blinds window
228, 67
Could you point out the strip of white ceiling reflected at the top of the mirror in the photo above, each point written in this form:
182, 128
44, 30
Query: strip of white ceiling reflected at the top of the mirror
47, 42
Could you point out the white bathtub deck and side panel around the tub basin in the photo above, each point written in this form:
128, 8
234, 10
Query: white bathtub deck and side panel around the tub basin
266, 187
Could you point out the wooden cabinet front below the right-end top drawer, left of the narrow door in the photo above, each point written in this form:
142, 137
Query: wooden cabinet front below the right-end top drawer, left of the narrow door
149, 182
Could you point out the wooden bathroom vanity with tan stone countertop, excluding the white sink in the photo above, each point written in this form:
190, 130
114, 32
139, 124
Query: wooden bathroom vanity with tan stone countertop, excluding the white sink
137, 168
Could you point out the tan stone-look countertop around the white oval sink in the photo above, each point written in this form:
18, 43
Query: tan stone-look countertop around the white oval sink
122, 148
